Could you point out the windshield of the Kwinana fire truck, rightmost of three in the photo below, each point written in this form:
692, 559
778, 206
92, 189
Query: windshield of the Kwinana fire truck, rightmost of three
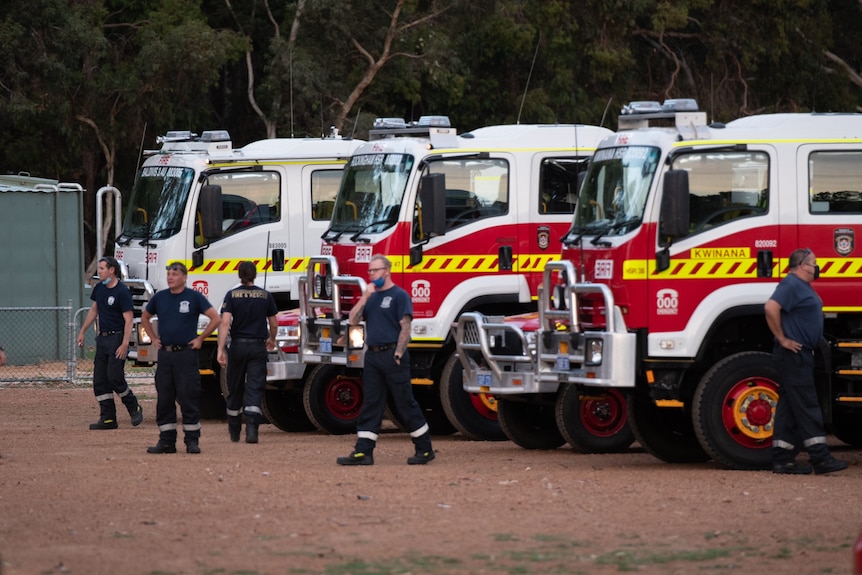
613, 196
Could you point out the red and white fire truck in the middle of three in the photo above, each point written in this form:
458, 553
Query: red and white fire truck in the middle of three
469, 222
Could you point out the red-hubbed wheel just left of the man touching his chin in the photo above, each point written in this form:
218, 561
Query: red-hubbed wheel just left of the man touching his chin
332, 399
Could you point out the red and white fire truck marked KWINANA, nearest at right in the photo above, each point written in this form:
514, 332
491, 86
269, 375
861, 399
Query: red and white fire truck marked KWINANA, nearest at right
681, 234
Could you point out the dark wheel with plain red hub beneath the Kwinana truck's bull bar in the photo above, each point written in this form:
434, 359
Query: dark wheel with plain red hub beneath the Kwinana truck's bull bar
593, 420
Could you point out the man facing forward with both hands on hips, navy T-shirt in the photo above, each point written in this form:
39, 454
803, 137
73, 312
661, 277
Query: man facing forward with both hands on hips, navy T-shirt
178, 378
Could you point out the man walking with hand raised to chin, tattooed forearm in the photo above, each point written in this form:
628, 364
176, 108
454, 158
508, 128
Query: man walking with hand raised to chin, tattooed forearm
388, 314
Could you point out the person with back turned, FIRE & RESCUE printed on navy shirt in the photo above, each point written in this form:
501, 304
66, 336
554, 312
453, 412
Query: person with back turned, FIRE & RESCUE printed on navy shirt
248, 315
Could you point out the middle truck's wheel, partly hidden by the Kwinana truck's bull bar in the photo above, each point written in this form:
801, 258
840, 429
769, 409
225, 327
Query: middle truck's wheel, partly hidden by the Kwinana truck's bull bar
473, 414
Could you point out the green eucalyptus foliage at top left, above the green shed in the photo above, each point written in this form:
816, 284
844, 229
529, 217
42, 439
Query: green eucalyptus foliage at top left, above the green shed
85, 77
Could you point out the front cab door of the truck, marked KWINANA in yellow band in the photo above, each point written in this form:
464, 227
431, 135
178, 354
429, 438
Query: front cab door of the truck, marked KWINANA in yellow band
732, 216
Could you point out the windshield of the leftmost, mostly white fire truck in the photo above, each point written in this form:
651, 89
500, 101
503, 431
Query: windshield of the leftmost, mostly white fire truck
158, 202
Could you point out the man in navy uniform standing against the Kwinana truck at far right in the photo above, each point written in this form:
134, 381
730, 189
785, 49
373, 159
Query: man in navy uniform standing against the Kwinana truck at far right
794, 314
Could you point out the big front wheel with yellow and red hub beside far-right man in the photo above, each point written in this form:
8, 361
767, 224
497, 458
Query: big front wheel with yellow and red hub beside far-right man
734, 410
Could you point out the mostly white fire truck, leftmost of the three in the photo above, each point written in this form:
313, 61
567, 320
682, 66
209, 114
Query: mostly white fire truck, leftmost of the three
199, 201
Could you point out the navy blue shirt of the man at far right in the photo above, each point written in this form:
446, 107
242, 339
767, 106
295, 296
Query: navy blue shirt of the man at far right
801, 310
